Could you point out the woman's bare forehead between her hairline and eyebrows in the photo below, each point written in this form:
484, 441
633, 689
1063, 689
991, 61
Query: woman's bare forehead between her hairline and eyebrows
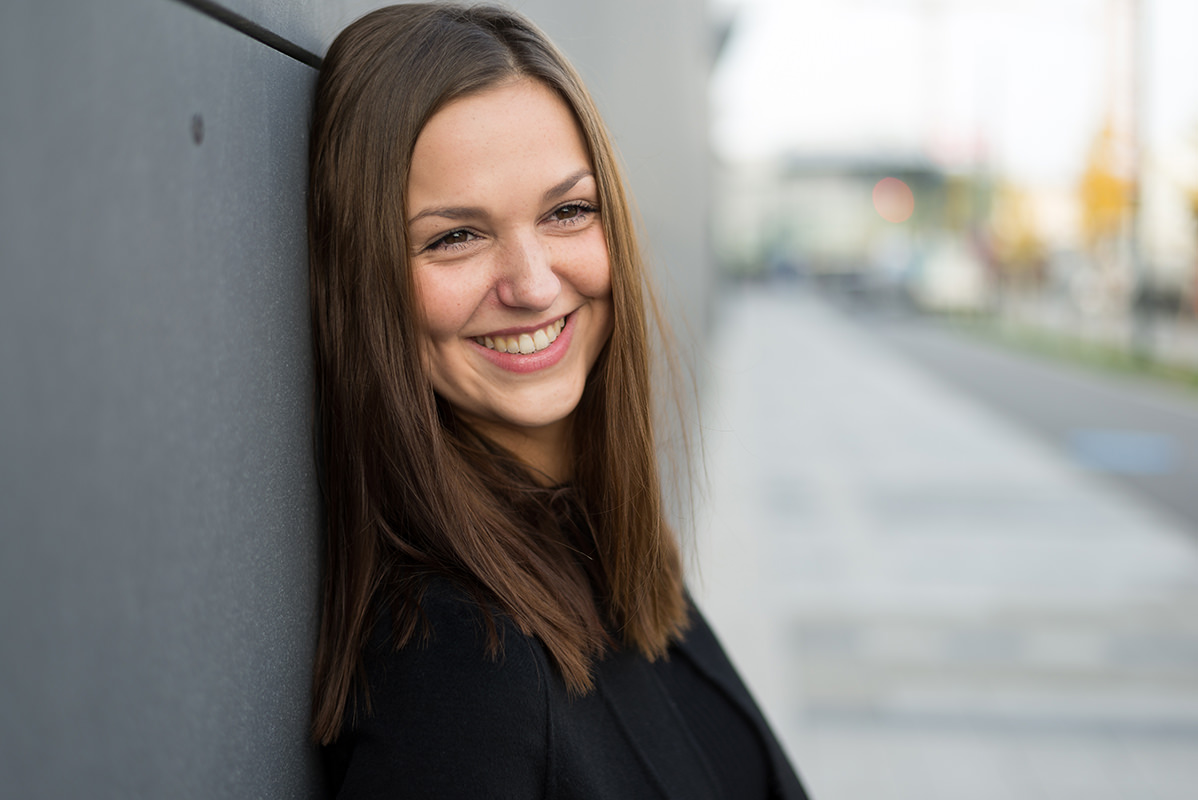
497, 142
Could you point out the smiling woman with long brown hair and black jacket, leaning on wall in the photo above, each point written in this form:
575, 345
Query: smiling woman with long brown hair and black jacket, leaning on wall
504, 611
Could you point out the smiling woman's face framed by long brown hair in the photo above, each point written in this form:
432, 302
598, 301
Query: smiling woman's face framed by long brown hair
510, 259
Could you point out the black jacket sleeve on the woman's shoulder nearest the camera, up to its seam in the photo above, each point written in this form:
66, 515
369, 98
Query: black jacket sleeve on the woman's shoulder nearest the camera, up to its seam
446, 718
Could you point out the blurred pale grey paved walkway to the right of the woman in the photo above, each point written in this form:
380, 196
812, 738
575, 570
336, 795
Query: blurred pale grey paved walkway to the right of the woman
929, 599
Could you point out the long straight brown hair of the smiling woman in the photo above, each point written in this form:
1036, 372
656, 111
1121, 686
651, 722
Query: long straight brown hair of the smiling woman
412, 493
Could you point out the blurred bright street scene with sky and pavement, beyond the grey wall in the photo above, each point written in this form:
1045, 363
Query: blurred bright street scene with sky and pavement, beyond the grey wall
951, 396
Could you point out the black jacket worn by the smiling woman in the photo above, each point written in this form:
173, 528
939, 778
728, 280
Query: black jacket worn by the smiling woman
447, 722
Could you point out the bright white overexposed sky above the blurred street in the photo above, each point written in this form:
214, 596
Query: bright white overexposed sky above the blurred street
1020, 86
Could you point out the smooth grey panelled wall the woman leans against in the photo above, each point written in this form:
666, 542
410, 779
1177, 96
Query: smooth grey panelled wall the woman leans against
159, 512
